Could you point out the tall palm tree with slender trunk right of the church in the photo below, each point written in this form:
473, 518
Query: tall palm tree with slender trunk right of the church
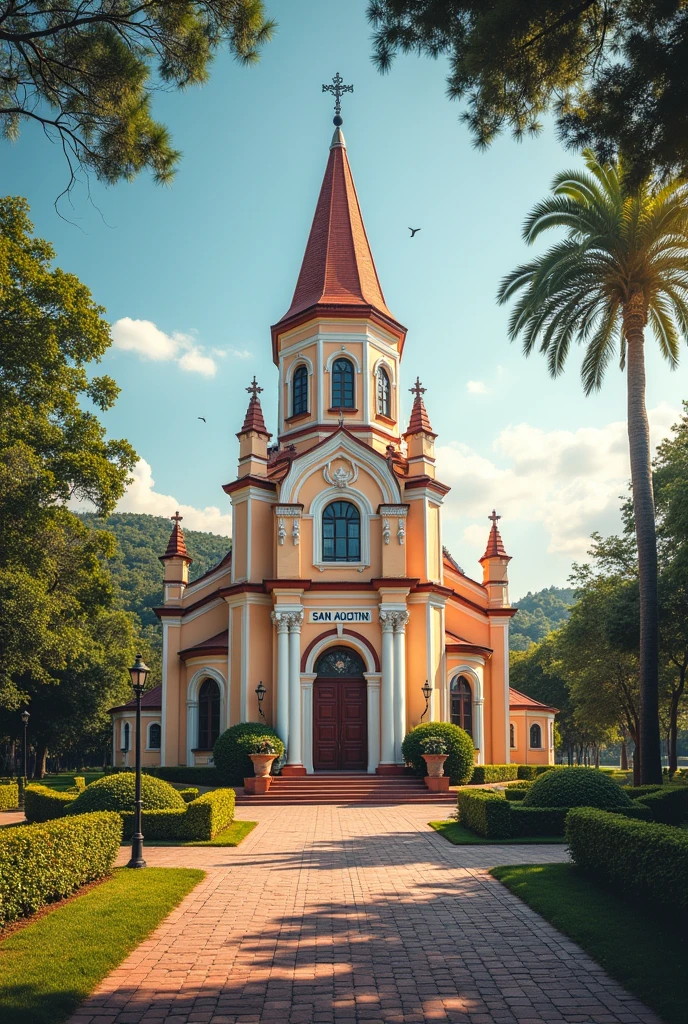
624, 266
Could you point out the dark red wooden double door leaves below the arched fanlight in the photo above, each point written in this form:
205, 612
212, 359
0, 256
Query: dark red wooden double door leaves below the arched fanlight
340, 724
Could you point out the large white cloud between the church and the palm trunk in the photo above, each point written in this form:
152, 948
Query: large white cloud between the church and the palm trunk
568, 481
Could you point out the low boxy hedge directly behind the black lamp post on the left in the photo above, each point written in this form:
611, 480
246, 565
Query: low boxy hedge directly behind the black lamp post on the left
202, 820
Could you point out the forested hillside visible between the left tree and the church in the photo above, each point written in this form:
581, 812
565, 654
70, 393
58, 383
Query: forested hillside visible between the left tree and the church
137, 570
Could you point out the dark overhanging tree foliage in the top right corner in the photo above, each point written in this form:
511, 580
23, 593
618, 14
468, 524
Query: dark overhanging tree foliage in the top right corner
615, 72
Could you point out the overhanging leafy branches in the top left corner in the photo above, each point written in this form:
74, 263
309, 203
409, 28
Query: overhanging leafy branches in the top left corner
85, 72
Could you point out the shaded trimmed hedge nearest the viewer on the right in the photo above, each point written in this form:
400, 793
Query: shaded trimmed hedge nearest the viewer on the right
649, 862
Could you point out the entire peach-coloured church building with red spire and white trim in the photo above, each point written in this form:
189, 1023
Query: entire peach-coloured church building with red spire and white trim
338, 595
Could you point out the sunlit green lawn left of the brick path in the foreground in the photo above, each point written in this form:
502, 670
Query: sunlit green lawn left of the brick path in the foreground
50, 967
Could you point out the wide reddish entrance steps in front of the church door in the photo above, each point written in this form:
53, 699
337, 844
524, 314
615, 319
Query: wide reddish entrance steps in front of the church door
347, 789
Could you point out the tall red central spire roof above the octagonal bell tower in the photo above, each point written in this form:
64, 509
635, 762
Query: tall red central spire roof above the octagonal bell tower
338, 271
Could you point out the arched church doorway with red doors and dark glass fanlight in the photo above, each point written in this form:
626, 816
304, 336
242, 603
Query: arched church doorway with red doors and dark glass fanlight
340, 719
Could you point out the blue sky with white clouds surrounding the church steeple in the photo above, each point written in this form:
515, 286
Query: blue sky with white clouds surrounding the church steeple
213, 260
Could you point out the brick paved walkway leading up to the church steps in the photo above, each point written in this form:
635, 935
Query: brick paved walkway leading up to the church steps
356, 916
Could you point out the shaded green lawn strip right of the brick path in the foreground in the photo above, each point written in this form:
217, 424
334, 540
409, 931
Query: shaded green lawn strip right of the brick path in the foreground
644, 952
